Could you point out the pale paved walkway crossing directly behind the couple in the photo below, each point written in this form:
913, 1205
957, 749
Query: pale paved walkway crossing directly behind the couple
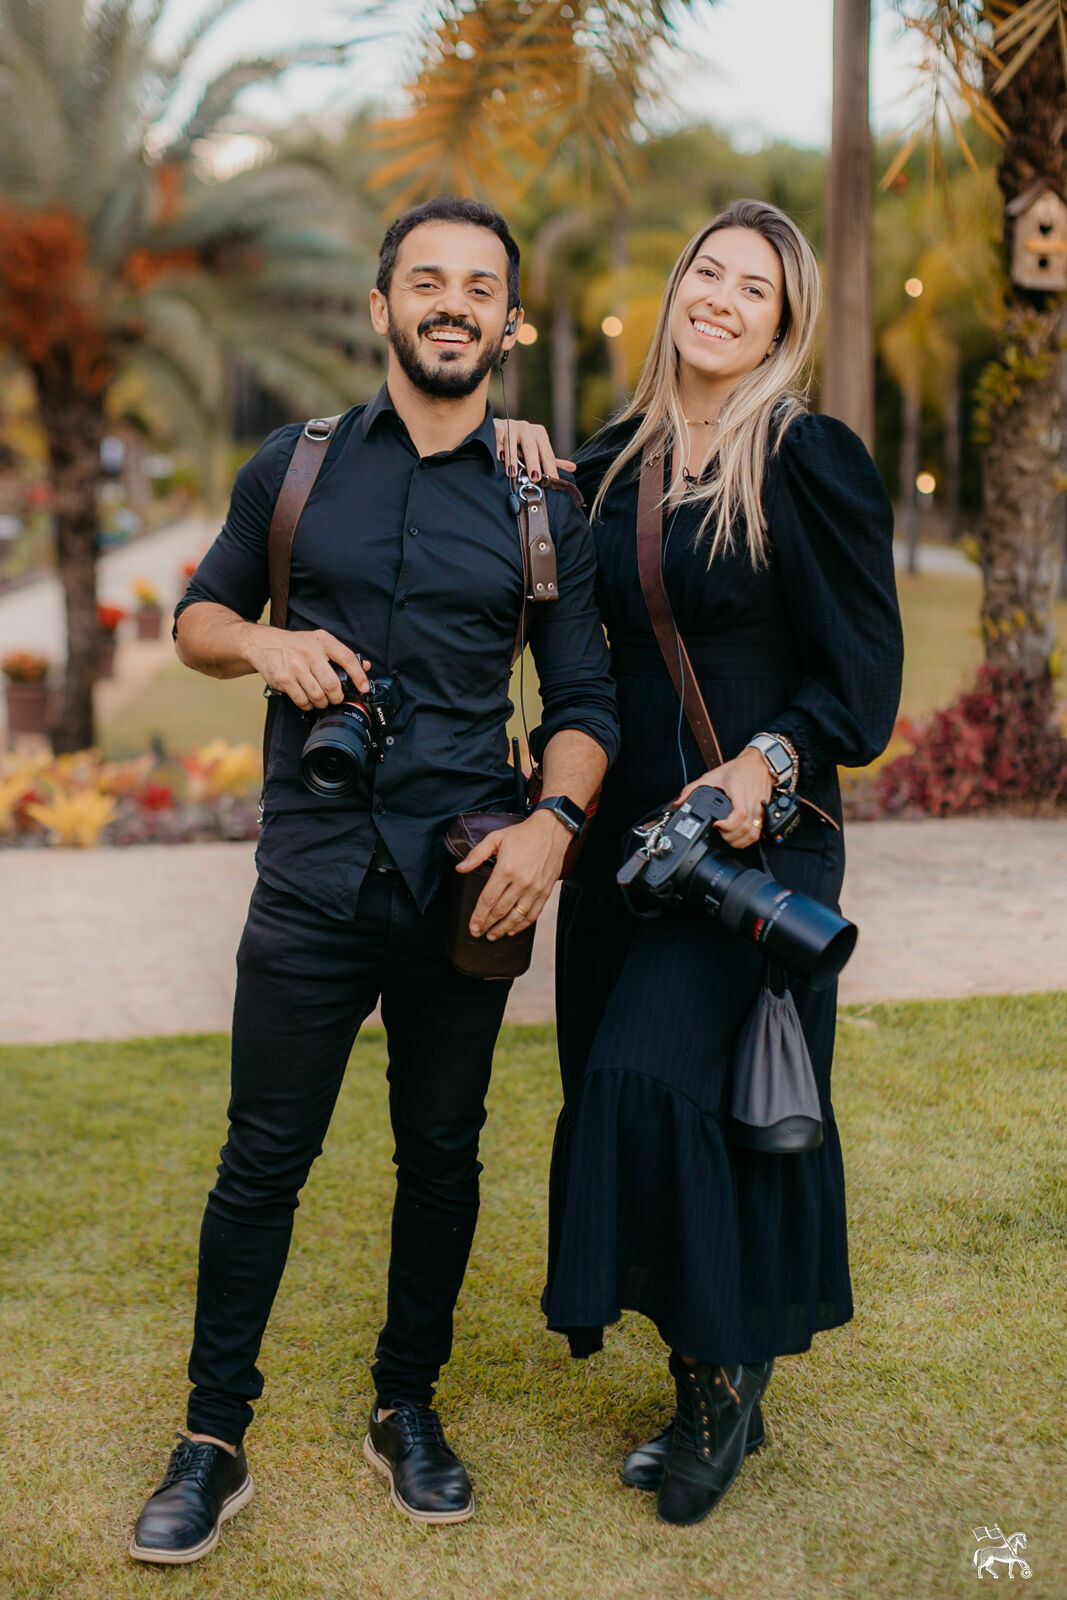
119, 943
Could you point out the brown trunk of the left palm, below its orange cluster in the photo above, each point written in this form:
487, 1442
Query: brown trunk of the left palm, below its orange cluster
74, 426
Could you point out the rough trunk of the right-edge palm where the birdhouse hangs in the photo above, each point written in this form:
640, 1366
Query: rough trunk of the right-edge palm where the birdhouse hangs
1018, 526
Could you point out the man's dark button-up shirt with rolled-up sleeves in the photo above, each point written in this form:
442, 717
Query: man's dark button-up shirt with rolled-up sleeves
417, 566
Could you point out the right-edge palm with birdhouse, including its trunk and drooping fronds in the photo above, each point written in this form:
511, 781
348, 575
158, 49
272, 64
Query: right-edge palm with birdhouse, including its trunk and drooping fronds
1009, 63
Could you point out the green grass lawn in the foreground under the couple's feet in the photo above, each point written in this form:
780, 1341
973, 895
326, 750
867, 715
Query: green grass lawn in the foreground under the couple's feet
937, 1410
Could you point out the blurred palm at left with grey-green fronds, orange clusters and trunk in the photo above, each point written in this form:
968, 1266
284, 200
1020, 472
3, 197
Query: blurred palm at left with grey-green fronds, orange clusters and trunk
121, 252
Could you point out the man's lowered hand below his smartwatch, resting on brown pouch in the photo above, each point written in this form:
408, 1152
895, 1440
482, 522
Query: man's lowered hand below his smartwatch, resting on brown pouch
529, 862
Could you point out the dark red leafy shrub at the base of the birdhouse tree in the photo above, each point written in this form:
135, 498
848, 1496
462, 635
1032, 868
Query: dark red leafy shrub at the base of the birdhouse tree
997, 745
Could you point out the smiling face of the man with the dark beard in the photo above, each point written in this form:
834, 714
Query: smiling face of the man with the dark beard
447, 308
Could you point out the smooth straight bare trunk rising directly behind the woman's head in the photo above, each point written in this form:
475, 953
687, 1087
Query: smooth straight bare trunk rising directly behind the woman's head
849, 369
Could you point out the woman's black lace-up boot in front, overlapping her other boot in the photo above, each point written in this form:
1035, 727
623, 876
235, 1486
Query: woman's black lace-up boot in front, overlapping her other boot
708, 1447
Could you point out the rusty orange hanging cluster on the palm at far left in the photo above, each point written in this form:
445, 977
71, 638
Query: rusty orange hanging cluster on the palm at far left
46, 313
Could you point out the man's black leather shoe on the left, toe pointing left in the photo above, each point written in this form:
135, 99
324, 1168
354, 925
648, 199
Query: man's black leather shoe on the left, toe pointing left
202, 1489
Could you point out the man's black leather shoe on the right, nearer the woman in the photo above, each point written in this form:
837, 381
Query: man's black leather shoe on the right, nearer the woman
430, 1481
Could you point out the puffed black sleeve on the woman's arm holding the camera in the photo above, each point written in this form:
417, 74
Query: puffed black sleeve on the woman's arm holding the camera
831, 524
